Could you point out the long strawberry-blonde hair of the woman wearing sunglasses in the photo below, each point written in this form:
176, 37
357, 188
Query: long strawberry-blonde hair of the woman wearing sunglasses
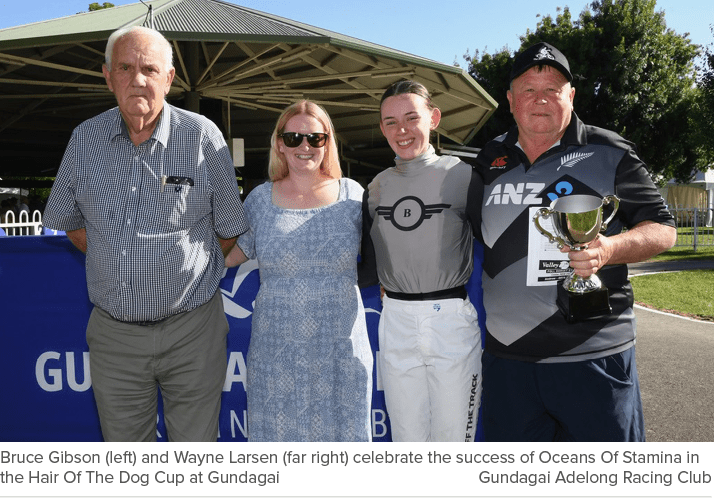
278, 165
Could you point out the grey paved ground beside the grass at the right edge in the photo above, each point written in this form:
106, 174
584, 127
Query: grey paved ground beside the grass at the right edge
675, 358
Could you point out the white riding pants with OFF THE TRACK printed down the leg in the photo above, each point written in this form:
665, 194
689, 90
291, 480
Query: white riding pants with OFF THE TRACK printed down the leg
431, 369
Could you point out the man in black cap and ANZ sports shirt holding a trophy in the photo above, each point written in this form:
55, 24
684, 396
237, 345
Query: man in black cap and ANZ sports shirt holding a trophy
545, 377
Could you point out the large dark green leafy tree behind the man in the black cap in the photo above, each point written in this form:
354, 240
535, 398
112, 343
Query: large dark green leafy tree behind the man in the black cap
633, 75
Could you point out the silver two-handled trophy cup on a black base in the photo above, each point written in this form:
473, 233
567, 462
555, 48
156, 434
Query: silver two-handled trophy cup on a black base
577, 220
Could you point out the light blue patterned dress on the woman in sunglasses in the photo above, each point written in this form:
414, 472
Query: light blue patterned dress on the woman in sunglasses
309, 360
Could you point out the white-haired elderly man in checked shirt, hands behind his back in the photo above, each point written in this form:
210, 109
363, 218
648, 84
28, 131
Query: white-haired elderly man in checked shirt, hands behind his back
148, 192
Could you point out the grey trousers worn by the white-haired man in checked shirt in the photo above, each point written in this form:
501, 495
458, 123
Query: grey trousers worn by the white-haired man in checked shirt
184, 355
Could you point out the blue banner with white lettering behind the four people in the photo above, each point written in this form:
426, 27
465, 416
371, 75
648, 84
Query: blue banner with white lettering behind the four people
44, 309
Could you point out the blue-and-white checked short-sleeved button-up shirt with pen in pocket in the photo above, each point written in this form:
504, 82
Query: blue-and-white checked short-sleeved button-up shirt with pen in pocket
152, 212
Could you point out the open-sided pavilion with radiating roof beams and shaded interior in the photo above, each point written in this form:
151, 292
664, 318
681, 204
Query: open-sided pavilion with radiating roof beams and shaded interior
237, 66
